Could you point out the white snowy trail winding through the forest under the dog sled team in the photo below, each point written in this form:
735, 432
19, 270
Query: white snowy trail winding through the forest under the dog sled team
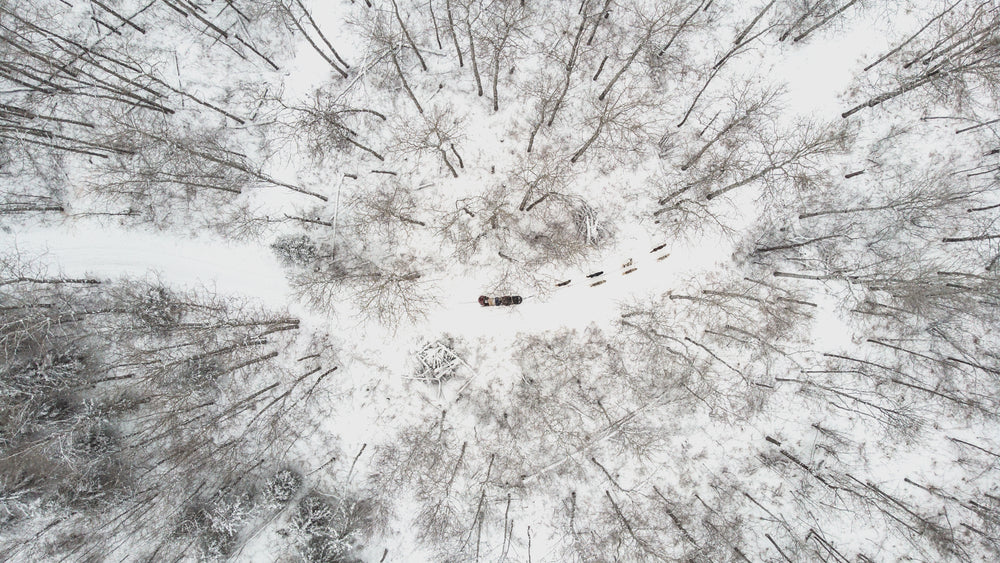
375, 352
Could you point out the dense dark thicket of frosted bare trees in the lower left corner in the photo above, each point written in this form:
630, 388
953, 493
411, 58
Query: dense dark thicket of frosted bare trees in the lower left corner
144, 422
